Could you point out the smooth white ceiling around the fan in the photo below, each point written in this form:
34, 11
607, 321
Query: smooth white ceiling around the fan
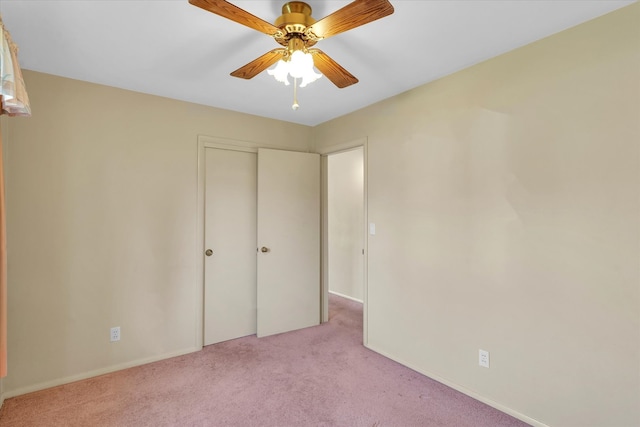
173, 49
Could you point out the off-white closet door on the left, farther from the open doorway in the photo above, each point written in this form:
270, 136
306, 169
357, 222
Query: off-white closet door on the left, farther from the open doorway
230, 236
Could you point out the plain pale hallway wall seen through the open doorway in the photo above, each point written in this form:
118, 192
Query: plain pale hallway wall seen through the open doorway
345, 223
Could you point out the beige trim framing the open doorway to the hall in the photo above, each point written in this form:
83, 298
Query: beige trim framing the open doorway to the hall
325, 152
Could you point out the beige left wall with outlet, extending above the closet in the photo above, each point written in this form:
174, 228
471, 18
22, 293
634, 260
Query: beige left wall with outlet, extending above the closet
102, 226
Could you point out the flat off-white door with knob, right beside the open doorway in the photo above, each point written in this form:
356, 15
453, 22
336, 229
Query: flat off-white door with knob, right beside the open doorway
288, 275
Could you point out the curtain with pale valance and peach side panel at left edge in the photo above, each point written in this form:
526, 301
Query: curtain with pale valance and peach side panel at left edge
14, 102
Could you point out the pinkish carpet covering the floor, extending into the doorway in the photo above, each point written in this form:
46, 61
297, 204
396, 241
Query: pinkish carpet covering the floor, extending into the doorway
320, 376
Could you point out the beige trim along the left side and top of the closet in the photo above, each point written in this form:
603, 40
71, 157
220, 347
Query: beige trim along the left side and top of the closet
204, 142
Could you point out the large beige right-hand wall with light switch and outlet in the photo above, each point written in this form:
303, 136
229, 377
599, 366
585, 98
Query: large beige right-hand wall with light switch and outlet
506, 199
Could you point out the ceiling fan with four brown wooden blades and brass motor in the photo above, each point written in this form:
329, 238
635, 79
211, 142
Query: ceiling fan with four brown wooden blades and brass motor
297, 31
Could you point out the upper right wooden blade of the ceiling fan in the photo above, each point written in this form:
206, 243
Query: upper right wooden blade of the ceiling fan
353, 15
